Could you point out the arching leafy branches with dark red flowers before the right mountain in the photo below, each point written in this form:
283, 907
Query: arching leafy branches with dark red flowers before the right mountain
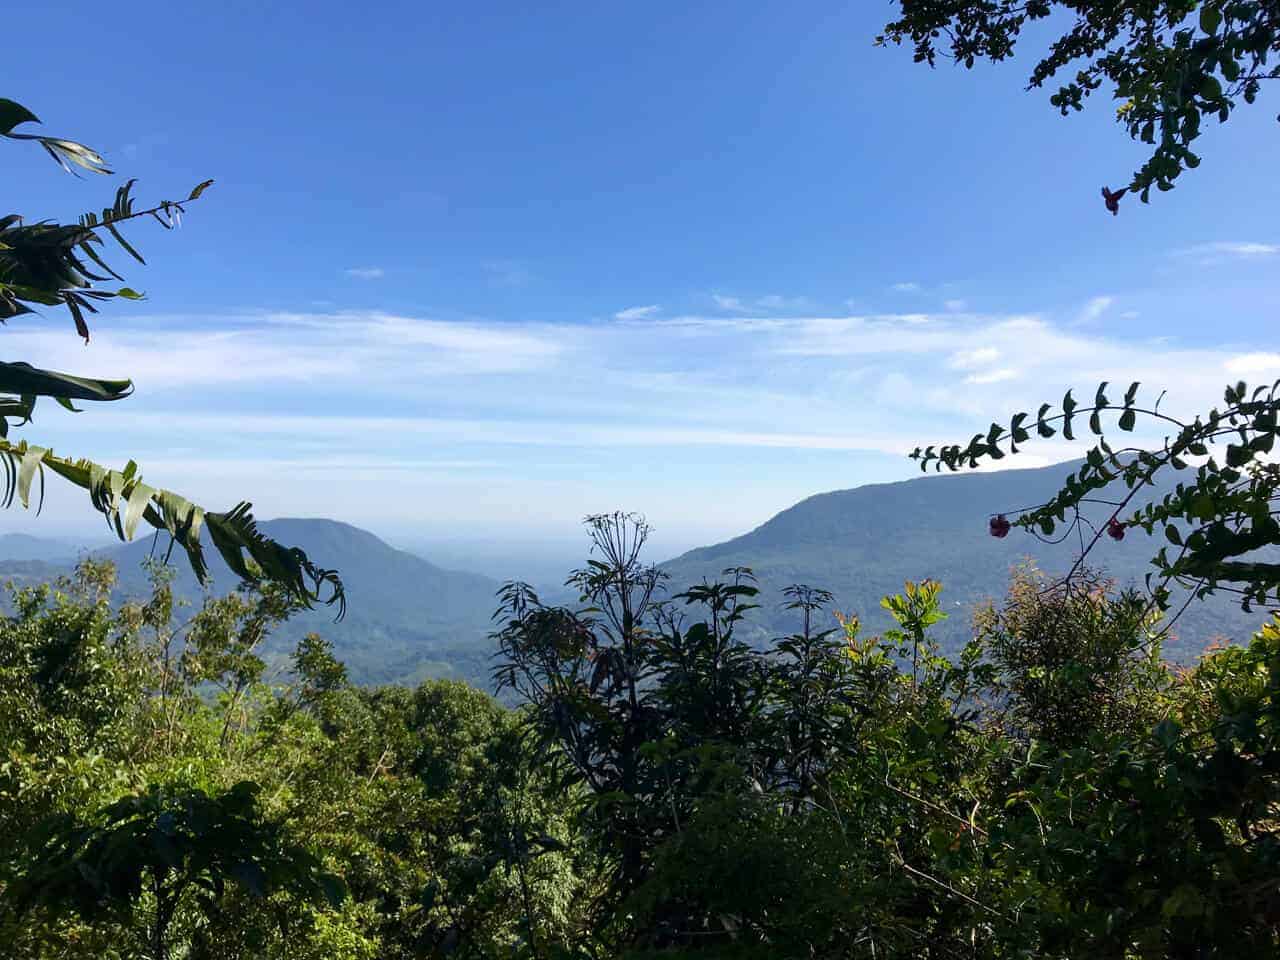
1215, 519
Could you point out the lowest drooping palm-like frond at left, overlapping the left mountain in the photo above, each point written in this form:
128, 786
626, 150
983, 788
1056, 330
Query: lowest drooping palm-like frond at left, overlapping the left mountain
126, 502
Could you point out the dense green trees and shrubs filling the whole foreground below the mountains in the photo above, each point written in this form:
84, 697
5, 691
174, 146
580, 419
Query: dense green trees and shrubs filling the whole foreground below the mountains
1055, 790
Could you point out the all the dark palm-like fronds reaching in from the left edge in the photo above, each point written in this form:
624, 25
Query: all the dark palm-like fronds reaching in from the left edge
48, 264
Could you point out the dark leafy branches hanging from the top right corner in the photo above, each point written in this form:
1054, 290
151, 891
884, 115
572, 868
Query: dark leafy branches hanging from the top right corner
1171, 63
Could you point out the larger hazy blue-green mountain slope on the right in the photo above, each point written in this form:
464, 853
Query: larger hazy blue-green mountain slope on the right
862, 545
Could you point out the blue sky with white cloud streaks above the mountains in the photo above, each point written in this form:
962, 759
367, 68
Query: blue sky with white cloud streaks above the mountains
477, 271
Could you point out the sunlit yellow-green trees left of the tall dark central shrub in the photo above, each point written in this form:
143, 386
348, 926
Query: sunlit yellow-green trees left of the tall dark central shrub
122, 725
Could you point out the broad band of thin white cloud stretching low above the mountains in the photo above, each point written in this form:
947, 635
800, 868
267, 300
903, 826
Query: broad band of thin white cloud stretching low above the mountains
459, 412
